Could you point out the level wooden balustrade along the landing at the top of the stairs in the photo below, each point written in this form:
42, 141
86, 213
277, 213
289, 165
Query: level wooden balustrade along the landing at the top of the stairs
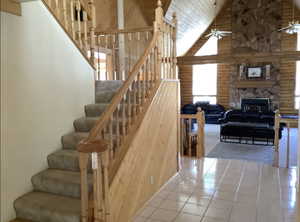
125, 46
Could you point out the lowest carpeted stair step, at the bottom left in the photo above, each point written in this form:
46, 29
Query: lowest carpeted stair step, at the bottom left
45, 207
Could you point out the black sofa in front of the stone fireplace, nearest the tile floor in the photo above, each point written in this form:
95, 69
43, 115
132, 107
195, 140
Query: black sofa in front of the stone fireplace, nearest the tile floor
242, 127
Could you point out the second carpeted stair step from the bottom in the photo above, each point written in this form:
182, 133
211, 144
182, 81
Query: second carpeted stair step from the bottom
60, 182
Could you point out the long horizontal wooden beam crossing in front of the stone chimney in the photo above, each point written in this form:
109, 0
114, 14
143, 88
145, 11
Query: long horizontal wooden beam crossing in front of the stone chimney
240, 58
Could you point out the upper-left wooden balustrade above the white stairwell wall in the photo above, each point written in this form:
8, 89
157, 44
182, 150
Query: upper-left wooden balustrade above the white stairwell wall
78, 19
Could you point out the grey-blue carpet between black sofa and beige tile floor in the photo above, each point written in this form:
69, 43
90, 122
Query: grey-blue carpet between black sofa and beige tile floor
255, 153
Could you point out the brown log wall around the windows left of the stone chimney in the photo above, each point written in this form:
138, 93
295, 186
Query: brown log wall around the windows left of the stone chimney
224, 46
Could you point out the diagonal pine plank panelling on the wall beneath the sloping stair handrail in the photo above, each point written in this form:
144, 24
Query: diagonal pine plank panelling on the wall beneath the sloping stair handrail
152, 153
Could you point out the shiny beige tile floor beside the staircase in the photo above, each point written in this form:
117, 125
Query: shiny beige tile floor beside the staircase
215, 190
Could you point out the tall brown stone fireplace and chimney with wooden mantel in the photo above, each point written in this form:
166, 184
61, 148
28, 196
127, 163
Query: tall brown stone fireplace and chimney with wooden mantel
253, 25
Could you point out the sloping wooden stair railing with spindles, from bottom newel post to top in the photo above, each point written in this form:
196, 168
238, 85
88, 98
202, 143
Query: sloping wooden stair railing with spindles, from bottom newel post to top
113, 133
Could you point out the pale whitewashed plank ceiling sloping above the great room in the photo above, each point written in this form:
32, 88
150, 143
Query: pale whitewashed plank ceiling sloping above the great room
194, 17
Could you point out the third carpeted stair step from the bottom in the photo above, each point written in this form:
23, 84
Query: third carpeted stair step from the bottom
65, 159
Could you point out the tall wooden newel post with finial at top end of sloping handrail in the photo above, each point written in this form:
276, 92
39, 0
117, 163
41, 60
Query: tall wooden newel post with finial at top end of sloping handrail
159, 14
